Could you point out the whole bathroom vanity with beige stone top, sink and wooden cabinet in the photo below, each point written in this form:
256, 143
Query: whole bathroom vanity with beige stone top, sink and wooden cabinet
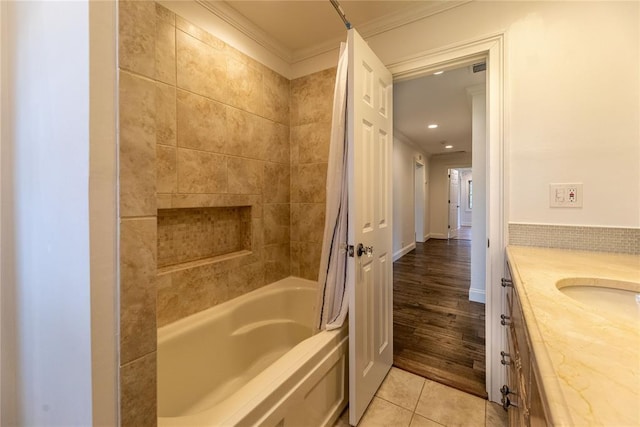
573, 327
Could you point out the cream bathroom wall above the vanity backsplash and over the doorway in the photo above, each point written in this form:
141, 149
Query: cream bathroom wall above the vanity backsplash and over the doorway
571, 110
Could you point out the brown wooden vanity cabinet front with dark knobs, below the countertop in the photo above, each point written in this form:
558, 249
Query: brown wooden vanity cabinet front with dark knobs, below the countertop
521, 395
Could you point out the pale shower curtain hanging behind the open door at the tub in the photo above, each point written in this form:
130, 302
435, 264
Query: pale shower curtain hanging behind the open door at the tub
333, 298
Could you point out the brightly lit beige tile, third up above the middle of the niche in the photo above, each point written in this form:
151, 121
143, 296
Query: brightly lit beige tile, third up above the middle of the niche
201, 68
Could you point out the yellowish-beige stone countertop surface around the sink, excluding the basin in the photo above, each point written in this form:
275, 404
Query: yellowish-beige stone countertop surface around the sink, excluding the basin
588, 361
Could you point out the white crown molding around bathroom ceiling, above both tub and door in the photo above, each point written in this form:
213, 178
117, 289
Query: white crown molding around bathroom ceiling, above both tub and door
368, 29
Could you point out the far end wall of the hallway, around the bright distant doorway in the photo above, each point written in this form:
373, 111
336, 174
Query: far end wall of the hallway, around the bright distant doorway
439, 190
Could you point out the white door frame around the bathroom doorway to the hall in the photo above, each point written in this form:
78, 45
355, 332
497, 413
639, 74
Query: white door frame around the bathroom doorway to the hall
492, 49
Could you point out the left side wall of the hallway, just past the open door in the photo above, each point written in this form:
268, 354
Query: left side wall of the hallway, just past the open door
404, 159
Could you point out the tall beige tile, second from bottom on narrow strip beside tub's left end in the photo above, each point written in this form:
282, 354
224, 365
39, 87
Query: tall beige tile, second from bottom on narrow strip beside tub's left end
137, 288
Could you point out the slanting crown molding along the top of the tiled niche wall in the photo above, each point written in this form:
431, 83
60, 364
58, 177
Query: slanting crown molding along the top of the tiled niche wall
246, 27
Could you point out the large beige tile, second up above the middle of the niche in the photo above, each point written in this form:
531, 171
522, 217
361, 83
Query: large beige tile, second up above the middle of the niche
201, 123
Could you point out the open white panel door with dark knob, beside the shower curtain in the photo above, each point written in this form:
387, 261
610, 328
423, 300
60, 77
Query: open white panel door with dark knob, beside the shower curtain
370, 139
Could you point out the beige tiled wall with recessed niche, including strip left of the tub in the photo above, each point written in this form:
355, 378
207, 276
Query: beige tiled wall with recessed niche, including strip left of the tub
201, 126
